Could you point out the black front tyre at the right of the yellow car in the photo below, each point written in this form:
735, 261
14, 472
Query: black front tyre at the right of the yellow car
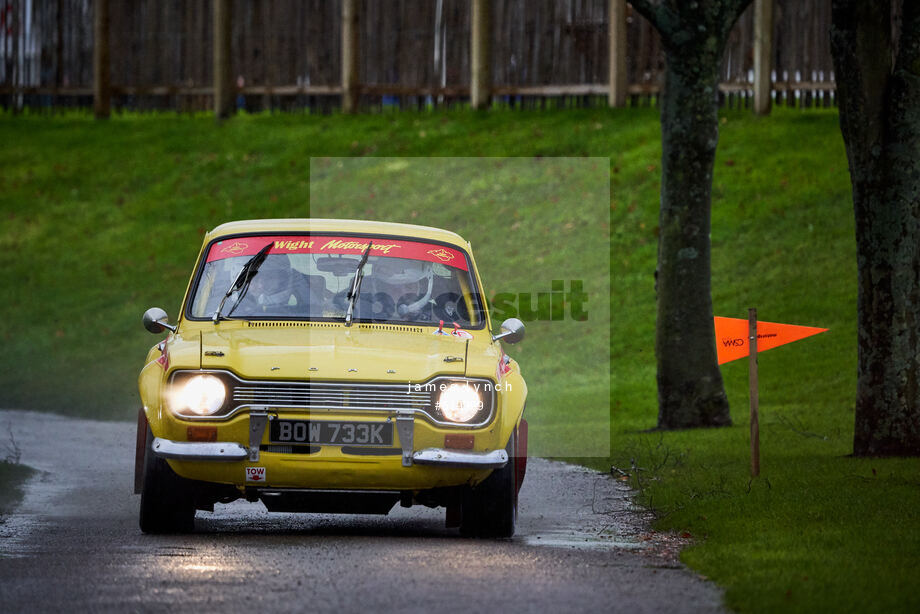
490, 509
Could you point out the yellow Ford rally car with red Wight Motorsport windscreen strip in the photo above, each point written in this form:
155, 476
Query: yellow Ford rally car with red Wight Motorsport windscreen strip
332, 366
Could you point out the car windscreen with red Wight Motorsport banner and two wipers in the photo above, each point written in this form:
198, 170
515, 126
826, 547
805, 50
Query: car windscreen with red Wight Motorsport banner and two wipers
309, 277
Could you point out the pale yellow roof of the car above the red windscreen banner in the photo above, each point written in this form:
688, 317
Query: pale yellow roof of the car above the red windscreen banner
295, 225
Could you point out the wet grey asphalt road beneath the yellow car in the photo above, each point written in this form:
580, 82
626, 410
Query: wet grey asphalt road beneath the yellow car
74, 545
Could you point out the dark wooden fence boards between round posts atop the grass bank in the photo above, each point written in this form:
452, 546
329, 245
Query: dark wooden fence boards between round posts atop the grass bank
287, 53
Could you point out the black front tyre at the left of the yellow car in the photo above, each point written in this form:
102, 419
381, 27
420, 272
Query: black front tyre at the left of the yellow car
167, 500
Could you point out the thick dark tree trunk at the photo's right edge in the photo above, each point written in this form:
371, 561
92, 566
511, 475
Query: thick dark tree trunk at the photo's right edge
880, 121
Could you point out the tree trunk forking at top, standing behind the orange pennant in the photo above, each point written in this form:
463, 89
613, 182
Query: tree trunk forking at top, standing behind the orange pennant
693, 34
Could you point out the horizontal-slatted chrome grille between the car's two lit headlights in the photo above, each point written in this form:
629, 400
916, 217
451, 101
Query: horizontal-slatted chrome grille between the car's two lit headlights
316, 395
